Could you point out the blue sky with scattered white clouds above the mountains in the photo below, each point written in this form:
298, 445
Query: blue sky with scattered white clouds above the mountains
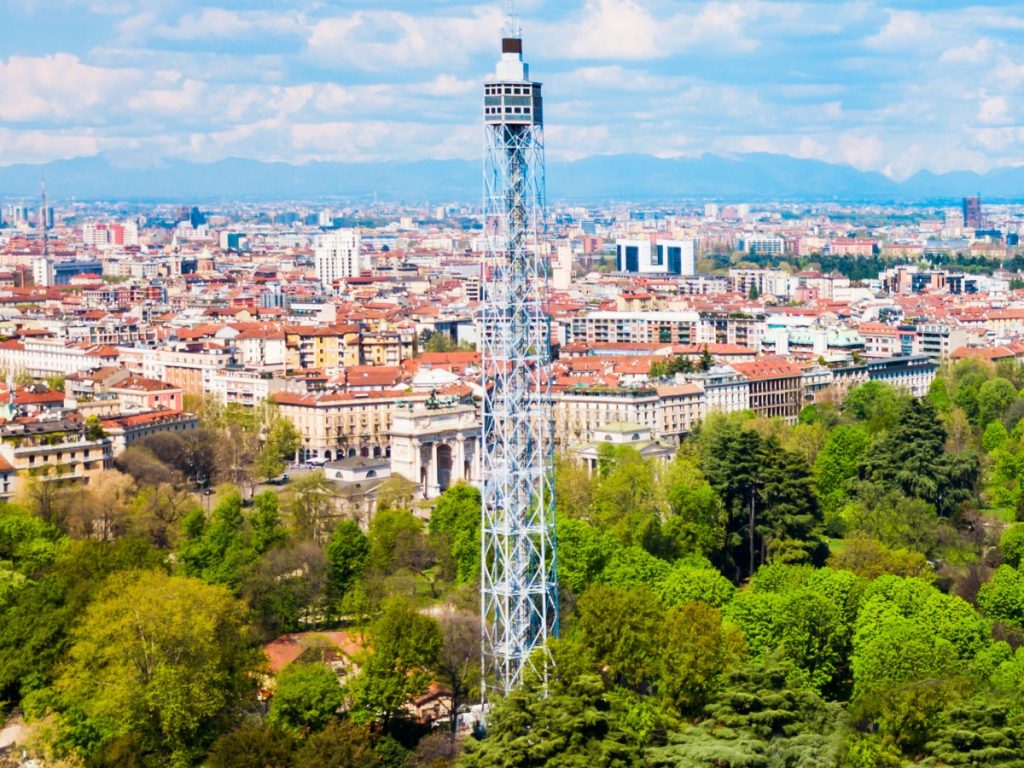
890, 87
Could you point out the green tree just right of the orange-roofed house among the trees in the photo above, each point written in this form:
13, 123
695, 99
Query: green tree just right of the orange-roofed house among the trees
405, 647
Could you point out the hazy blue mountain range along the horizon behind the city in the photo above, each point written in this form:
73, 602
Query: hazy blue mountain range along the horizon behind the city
611, 178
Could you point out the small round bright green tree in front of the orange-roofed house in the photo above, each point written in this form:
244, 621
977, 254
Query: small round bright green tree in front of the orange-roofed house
306, 699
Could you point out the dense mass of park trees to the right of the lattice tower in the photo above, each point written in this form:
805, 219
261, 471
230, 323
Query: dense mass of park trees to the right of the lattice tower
843, 592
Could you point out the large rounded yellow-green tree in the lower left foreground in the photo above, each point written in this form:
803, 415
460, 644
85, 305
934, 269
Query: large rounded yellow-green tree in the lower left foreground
163, 659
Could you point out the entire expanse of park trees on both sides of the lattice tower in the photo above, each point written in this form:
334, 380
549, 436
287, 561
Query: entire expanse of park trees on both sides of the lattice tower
844, 592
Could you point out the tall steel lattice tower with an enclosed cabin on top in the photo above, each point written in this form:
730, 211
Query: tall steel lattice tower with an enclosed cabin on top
520, 588
